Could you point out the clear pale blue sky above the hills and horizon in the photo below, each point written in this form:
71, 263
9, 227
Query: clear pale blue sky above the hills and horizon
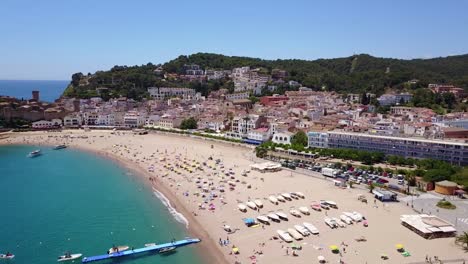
51, 39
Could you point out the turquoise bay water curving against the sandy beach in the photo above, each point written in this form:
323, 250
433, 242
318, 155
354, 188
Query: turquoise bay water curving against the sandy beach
77, 201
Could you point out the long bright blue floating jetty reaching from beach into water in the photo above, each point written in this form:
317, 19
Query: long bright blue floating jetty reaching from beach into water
161, 248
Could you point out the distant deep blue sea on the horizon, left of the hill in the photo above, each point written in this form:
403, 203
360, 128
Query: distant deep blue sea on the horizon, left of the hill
49, 90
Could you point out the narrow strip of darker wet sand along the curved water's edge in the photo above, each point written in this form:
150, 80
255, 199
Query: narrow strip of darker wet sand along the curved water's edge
207, 249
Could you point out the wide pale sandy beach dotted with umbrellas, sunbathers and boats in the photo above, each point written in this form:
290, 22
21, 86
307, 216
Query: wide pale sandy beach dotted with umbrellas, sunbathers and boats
185, 171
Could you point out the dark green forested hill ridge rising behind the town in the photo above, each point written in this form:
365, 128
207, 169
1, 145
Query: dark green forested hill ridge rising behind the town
355, 74
